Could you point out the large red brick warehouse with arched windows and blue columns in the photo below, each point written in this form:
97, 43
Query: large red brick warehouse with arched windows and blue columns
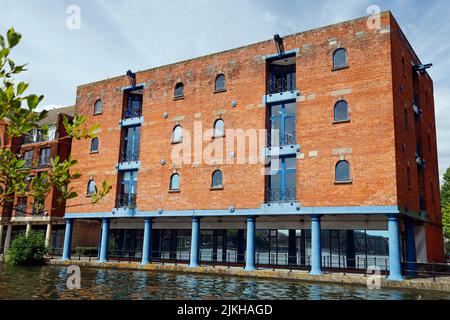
347, 169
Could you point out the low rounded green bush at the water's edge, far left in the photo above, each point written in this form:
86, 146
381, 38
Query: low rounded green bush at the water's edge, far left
27, 249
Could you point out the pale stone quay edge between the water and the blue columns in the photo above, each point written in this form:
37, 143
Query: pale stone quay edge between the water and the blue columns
441, 284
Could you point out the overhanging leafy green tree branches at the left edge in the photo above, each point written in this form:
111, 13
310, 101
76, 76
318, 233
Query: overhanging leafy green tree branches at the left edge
18, 110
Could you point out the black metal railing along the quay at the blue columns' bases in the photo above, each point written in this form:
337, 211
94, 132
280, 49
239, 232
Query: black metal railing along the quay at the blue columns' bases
270, 260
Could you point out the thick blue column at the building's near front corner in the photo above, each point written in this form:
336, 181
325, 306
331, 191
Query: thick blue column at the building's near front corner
395, 269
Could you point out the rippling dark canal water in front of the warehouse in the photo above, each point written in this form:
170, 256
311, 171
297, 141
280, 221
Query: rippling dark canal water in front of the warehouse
50, 282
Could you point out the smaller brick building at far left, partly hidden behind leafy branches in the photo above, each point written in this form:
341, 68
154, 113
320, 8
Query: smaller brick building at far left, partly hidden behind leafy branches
38, 149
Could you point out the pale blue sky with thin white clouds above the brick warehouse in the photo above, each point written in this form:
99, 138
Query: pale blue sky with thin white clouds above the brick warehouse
119, 35
